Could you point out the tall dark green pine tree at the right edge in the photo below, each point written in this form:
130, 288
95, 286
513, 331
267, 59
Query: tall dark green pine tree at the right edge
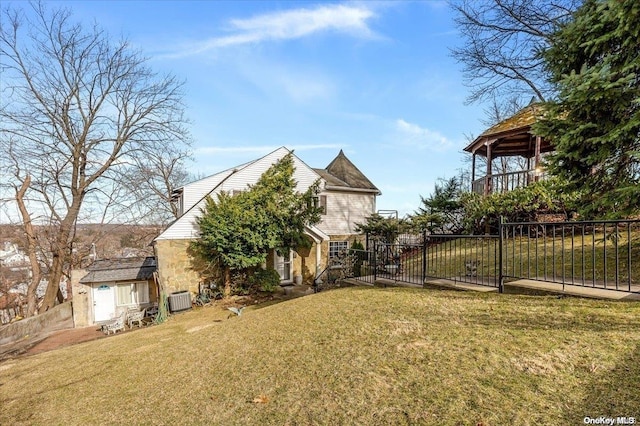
594, 124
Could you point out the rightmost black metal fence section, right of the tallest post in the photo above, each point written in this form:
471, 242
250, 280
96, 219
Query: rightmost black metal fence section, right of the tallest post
598, 254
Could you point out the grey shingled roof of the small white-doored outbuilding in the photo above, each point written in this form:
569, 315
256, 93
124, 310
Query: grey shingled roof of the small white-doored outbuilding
121, 269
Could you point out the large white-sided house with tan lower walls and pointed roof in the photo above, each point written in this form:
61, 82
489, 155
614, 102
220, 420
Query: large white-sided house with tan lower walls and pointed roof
346, 195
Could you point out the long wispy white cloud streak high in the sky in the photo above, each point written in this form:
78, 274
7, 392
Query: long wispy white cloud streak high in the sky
288, 25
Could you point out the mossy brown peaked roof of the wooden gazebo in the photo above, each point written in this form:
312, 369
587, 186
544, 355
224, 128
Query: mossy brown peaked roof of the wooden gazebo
511, 137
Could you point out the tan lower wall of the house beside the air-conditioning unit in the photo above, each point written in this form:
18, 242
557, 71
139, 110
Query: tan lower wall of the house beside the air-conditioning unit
177, 270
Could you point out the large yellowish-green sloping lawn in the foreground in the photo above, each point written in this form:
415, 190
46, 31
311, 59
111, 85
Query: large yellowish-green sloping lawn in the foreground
367, 356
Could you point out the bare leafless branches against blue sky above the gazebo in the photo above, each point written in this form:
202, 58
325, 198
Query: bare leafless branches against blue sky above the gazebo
501, 45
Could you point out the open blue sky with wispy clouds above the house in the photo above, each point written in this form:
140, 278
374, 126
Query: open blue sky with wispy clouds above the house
372, 78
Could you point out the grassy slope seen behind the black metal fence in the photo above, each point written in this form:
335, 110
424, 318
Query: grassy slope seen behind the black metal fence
547, 258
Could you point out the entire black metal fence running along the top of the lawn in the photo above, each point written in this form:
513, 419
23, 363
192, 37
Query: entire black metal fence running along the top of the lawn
599, 254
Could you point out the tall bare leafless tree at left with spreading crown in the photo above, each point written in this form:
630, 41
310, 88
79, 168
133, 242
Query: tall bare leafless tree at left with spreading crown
77, 109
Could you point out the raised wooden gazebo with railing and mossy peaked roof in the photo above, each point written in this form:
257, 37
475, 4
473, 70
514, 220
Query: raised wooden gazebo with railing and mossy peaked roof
512, 137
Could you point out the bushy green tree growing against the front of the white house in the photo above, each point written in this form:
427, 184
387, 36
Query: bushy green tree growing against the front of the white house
238, 231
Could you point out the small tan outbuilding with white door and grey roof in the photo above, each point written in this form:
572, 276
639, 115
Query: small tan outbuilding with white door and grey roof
108, 286
